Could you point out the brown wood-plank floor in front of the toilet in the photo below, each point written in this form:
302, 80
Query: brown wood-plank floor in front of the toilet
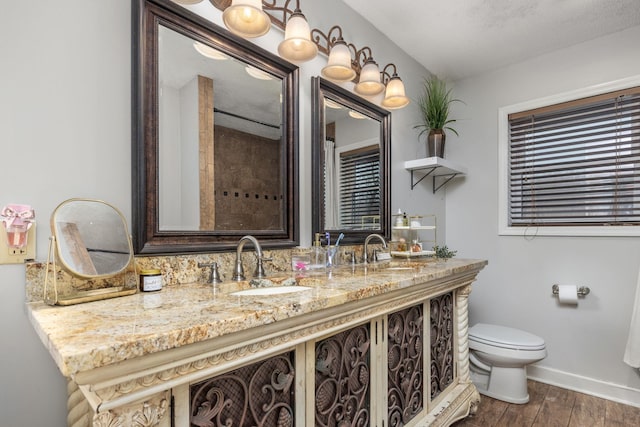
551, 406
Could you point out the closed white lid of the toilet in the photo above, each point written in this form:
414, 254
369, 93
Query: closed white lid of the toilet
502, 336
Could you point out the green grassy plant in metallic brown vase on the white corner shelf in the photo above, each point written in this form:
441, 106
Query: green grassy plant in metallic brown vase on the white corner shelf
434, 106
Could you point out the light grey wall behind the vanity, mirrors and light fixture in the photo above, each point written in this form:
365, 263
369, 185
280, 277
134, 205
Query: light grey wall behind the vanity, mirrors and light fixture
65, 108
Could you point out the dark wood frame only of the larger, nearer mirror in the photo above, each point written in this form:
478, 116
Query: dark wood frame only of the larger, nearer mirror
147, 236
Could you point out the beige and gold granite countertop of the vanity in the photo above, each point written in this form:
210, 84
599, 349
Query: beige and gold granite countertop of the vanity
100, 333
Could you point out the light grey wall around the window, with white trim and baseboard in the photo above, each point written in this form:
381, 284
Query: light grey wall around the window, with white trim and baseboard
585, 344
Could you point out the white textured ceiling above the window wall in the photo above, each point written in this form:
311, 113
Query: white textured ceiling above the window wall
460, 38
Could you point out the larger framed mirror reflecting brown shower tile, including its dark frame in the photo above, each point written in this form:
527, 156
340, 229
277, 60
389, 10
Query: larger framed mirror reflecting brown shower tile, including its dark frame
215, 143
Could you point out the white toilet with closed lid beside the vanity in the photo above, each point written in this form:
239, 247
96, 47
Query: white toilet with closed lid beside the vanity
499, 357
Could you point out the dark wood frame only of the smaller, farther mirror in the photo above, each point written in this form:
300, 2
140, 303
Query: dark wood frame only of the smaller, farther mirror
322, 89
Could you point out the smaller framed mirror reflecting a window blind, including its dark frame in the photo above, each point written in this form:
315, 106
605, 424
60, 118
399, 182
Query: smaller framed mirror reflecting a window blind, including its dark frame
351, 159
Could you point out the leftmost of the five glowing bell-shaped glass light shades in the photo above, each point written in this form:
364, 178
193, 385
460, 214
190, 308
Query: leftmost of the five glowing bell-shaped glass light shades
246, 18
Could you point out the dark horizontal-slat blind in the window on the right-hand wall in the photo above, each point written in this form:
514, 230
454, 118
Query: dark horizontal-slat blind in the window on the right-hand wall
576, 163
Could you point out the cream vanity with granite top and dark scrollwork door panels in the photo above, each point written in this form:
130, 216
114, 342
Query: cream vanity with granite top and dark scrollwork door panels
377, 345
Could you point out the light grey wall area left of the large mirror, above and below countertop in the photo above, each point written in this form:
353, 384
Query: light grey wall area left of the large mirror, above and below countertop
64, 132
